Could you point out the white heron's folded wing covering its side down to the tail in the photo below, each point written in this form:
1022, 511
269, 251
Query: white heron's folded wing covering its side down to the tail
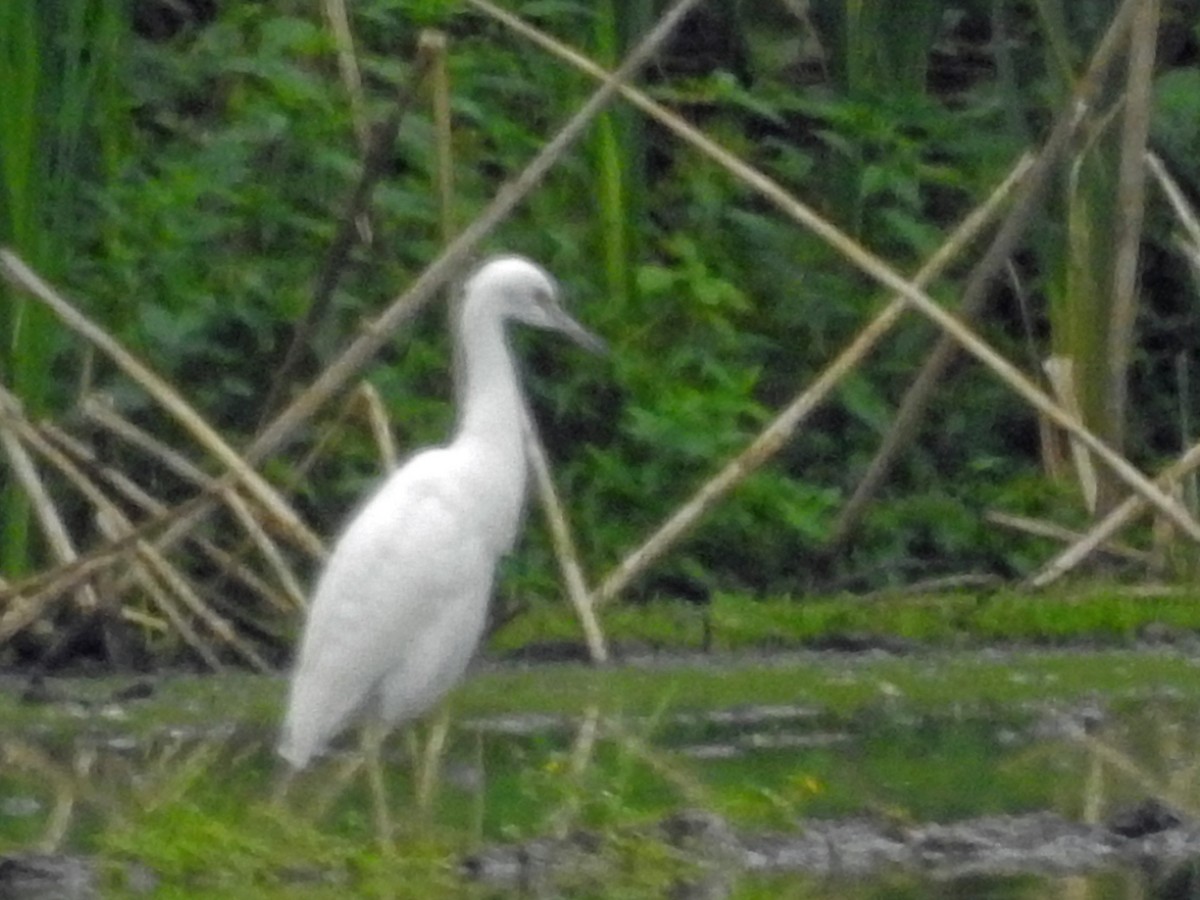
412, 555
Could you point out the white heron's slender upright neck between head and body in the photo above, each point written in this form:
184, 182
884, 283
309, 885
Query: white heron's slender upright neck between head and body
491, 407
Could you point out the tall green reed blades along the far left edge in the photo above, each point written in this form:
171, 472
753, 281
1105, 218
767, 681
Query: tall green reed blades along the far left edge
63, 129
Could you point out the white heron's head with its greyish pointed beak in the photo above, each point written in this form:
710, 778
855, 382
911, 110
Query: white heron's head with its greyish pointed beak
525, 292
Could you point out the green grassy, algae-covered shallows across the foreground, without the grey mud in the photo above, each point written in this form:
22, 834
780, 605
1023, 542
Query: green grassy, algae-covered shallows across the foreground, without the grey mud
179, 784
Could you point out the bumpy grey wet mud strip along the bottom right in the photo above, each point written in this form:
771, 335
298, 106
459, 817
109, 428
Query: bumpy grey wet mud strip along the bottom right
1151, 839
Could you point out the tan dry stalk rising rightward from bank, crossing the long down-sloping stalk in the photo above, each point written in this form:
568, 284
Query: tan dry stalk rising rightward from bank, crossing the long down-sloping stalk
781, 430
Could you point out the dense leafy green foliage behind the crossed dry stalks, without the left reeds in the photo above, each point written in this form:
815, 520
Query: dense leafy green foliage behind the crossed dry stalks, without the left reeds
201, 243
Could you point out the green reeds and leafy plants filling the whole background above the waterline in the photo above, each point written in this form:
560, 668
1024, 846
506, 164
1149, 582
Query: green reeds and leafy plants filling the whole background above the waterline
224, 149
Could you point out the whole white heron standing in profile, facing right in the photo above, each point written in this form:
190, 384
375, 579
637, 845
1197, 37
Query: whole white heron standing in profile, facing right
403, 602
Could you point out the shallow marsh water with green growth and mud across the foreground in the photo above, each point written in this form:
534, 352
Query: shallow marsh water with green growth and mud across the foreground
589, 802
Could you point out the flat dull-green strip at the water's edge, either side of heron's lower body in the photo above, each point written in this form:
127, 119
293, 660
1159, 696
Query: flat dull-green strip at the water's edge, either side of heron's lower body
836, 685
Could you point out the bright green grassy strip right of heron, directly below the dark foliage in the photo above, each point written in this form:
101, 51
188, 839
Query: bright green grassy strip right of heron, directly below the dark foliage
1107, 616
